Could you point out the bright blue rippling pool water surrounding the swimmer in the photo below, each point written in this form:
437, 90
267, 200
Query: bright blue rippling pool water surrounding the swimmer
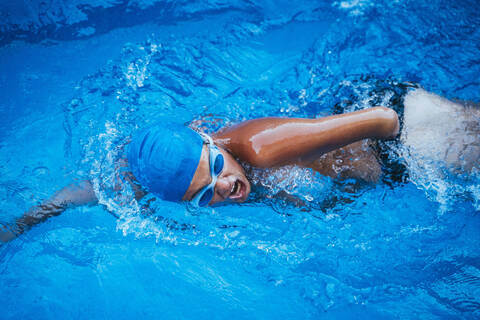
77, 77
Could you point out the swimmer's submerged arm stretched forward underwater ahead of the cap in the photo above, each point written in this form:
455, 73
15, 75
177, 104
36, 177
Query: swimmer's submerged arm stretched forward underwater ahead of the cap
71, 196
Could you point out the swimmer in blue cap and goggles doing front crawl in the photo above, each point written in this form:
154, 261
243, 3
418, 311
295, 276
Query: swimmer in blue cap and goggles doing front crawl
175, 163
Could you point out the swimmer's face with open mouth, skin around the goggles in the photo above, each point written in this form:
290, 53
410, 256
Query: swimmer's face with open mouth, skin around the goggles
232, 184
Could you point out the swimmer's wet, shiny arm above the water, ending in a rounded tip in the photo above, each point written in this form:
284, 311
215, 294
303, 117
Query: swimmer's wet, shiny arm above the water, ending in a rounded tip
270, 142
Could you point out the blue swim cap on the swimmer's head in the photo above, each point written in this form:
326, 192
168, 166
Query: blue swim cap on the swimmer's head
164, 158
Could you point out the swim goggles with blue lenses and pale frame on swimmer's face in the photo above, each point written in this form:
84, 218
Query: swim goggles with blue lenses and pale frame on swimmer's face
203, 197
